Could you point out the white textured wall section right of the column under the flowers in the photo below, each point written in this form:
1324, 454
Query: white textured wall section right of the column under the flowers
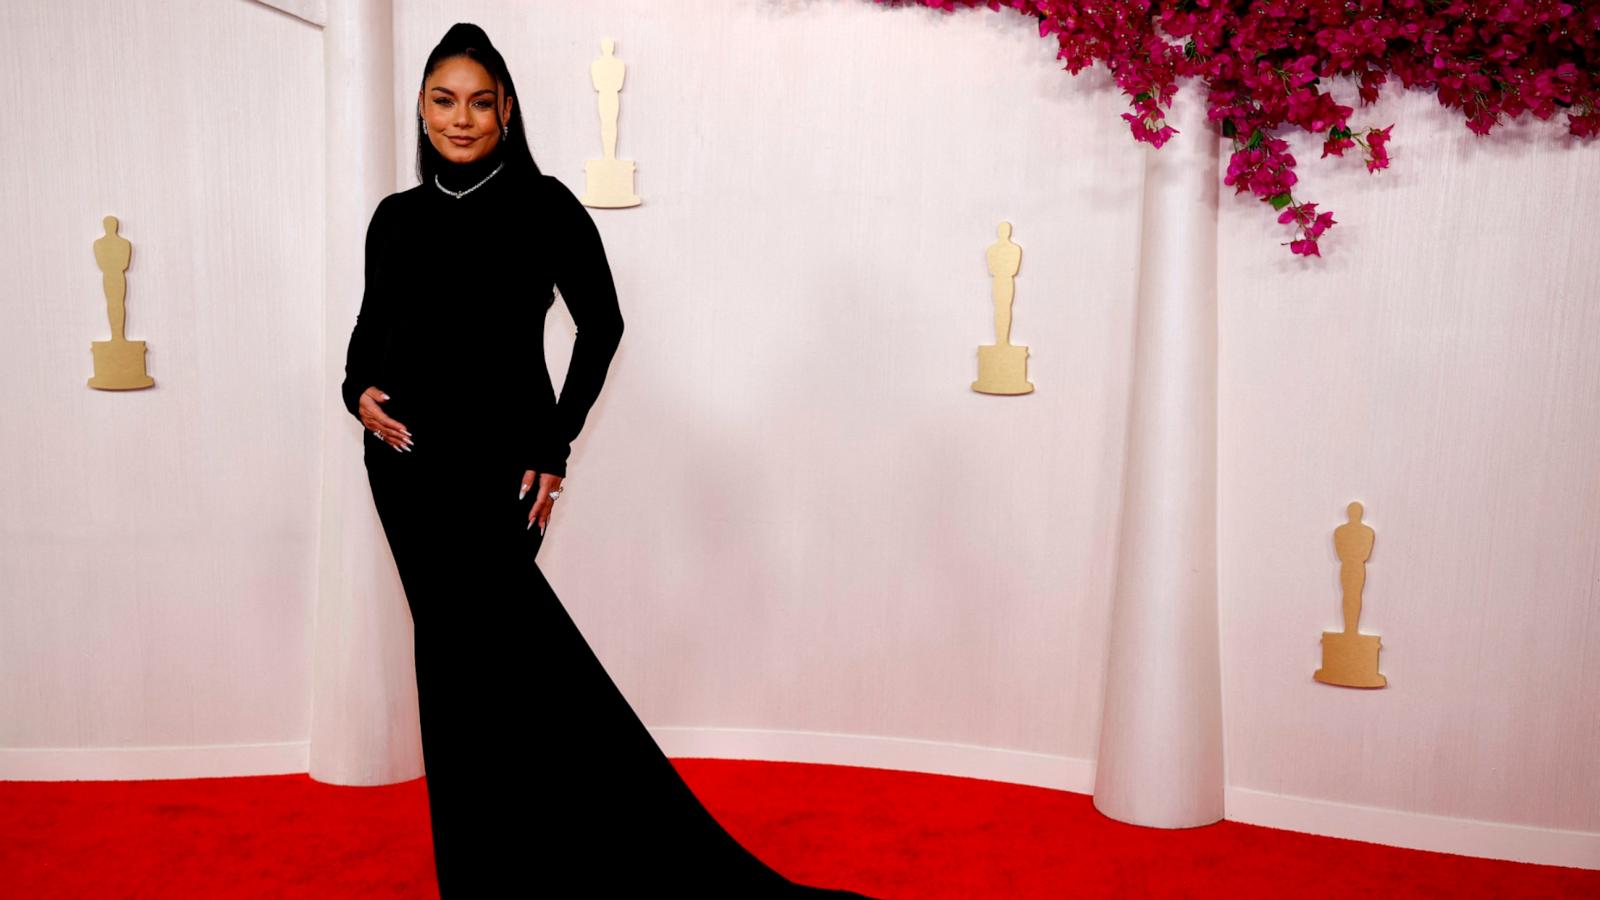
1442, 366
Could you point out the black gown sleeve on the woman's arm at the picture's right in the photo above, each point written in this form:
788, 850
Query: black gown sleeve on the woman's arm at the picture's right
585, 279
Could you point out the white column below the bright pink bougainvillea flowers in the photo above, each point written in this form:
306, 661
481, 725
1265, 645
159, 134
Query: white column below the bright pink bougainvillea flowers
1161, 747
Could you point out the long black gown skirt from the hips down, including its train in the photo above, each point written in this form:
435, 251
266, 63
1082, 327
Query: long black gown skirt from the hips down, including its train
537, 766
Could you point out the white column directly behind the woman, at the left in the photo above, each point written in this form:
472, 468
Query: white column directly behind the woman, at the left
364, 728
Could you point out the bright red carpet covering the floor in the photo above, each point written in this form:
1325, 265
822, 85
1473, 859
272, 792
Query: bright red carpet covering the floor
892, 835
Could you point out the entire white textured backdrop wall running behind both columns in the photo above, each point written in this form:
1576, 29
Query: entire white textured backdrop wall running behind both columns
793, 531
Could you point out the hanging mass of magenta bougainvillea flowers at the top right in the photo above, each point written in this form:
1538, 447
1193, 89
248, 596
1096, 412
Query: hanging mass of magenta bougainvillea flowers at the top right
1265, 68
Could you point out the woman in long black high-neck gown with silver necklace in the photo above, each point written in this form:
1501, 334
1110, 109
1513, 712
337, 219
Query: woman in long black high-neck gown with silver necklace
540, 774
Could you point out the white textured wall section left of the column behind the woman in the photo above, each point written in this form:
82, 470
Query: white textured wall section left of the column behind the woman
158, 566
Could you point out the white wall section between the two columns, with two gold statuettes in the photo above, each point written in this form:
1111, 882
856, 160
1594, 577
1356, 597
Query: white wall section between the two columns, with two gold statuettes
790, 504
